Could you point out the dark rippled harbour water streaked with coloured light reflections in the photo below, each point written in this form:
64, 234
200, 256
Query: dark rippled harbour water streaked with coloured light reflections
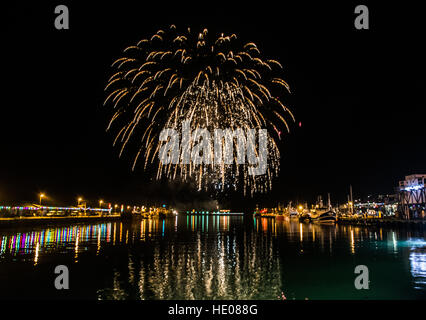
212, 257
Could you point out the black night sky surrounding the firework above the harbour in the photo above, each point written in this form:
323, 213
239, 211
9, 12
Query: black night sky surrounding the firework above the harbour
359, 95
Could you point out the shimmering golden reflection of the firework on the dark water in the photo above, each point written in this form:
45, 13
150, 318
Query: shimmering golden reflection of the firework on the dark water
212, 267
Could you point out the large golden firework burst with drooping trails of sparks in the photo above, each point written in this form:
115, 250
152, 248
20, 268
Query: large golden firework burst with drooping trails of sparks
214, 82
